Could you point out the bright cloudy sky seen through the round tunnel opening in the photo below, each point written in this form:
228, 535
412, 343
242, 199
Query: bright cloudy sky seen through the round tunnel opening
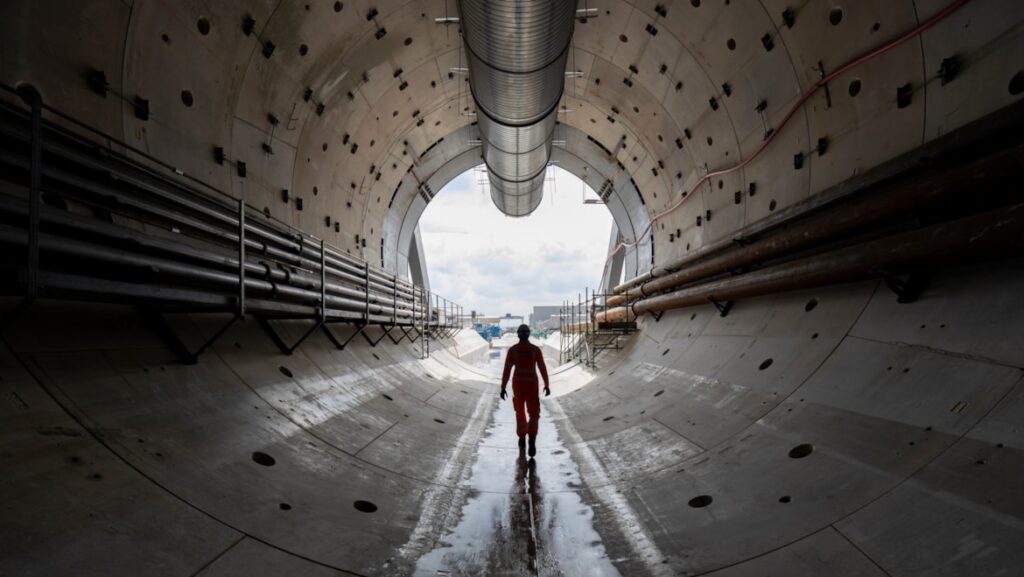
494, 264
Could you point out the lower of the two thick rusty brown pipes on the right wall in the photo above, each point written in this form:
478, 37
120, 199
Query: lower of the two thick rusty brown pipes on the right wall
988, 235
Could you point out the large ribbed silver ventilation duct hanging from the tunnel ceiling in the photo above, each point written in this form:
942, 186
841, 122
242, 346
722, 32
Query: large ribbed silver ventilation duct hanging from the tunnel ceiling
518, 52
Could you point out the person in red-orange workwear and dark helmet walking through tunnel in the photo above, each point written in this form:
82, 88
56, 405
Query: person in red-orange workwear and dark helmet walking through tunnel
527, 358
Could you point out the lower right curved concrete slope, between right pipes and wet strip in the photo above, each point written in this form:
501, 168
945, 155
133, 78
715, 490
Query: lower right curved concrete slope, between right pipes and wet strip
913, 411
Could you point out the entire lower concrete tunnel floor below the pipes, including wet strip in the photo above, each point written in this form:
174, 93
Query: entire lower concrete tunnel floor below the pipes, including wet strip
882, 439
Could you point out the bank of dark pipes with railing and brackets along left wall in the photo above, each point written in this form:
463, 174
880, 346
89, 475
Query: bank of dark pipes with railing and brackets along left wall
81, 220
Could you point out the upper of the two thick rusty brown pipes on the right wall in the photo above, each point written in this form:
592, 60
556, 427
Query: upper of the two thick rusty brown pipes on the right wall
878, 209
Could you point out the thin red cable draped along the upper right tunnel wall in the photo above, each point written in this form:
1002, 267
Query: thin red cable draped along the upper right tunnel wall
789, 115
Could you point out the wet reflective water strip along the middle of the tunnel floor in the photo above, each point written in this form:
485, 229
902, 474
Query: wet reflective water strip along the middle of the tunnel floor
521, 517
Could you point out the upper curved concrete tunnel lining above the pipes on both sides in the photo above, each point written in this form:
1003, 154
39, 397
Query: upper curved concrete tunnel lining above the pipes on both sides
360, 92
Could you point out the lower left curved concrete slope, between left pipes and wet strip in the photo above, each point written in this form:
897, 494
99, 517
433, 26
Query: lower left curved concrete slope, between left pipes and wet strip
127, 463
